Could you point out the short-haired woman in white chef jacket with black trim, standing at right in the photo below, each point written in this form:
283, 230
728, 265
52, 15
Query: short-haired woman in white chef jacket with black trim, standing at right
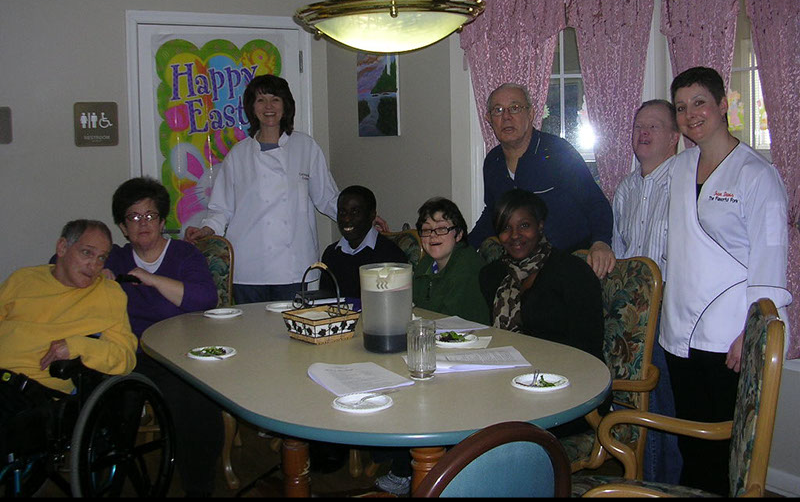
727, 247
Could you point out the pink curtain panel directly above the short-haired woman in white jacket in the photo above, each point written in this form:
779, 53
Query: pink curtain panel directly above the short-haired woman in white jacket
700, 33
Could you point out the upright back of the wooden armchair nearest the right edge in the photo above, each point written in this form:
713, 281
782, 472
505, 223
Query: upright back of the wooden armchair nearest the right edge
756, 400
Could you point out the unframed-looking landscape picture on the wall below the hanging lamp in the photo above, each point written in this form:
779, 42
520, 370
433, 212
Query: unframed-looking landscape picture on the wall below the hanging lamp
378, 96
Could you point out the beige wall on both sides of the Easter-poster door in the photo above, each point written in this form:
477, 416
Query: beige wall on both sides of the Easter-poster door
56, 53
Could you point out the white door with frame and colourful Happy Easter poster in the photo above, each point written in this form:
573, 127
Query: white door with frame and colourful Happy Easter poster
187, 75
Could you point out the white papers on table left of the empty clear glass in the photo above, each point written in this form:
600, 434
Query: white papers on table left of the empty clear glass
342, 379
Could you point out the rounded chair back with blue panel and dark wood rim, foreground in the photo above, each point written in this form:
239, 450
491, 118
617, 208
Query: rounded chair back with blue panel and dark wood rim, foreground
509, 459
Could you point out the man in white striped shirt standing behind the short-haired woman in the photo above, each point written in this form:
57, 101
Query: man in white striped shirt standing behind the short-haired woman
640, 229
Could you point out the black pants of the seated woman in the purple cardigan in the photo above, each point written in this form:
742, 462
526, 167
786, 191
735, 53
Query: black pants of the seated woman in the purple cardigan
198, 427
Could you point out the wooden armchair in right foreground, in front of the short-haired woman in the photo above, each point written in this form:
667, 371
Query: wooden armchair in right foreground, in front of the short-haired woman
750, 431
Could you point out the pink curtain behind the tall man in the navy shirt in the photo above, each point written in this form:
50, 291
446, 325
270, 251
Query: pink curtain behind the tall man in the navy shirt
512, 41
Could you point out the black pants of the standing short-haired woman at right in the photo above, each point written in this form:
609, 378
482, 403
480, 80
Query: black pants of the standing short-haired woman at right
705, 390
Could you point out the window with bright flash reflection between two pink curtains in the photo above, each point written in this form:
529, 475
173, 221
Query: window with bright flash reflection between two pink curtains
565, 112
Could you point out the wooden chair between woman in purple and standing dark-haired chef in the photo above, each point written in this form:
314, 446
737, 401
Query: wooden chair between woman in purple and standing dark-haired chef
219, 255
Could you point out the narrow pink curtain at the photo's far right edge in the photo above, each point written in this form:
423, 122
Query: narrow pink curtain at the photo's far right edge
776, 35
